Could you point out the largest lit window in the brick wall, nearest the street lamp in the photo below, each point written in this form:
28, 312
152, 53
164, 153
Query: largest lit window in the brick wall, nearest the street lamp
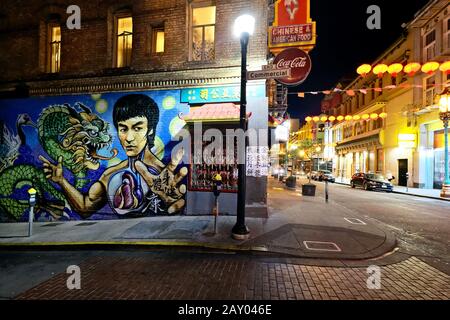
203, 33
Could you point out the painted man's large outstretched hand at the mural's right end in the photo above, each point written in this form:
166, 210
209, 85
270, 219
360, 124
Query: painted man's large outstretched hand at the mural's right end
165, 185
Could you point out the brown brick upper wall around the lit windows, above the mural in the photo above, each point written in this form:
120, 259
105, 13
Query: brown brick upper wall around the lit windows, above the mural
89, 51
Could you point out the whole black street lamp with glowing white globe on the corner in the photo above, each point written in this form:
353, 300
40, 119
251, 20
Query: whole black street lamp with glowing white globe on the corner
244, 26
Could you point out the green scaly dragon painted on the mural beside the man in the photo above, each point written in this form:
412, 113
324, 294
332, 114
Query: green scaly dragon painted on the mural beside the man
76, 138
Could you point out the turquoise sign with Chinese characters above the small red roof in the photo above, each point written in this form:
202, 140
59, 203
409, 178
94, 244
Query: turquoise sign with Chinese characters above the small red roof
219, 94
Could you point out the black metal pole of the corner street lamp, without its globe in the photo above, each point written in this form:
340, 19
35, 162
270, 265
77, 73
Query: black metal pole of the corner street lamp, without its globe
240, 230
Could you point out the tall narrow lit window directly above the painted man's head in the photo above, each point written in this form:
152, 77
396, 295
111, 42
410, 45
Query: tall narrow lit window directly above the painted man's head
124, 41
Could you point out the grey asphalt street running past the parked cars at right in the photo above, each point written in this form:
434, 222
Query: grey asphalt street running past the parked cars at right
421, 225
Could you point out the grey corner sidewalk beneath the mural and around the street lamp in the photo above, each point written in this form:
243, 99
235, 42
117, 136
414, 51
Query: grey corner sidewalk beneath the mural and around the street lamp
297, 226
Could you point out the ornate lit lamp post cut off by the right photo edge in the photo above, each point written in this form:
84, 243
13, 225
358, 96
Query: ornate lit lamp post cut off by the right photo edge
444, 115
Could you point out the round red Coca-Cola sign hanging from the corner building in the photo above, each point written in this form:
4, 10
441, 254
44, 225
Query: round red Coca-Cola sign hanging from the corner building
298, 61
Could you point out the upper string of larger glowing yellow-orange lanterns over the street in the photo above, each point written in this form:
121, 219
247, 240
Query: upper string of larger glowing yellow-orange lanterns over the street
410, 69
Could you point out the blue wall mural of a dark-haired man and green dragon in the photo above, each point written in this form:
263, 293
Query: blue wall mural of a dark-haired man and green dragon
100, 156
